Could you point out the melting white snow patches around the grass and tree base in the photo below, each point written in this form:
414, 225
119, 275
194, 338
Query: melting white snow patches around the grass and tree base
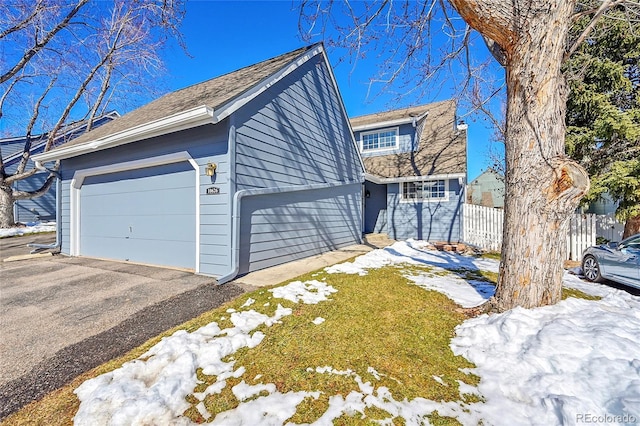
573, 363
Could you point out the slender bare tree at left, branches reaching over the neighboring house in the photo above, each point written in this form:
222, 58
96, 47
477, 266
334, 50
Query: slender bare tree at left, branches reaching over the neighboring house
72, 61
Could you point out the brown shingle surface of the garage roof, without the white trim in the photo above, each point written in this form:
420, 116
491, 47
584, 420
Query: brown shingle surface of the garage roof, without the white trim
212, 93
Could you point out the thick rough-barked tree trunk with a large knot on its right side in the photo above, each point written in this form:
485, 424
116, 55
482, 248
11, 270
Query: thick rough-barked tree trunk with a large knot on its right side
543, 186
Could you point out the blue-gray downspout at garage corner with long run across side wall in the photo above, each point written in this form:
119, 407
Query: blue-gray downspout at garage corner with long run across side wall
237, 202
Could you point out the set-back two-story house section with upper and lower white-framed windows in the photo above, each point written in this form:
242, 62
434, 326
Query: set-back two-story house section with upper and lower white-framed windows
415, 161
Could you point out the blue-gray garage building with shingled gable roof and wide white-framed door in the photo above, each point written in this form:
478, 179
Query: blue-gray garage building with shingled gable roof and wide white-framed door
248, 170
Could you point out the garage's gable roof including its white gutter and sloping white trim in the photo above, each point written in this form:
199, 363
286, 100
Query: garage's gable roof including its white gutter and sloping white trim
207, 102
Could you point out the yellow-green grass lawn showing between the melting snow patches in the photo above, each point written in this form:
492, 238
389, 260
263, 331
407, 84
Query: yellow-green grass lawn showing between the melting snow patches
380, 321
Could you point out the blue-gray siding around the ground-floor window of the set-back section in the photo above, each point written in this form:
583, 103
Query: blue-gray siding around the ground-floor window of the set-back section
430, 221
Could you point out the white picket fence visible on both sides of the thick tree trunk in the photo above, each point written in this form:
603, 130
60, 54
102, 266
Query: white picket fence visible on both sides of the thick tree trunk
483, 228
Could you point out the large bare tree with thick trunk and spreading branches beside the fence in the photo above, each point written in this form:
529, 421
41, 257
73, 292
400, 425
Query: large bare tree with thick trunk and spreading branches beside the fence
530, 39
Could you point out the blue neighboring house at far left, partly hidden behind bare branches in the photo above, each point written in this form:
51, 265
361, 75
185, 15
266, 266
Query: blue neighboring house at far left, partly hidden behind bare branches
43, 207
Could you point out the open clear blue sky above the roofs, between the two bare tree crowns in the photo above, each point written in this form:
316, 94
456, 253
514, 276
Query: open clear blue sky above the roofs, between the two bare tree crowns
223, 36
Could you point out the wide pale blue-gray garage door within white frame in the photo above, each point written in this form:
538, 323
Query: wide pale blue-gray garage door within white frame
146, 215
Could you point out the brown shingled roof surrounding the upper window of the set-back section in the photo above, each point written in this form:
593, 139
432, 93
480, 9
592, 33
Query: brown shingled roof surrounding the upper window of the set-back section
442, 148
